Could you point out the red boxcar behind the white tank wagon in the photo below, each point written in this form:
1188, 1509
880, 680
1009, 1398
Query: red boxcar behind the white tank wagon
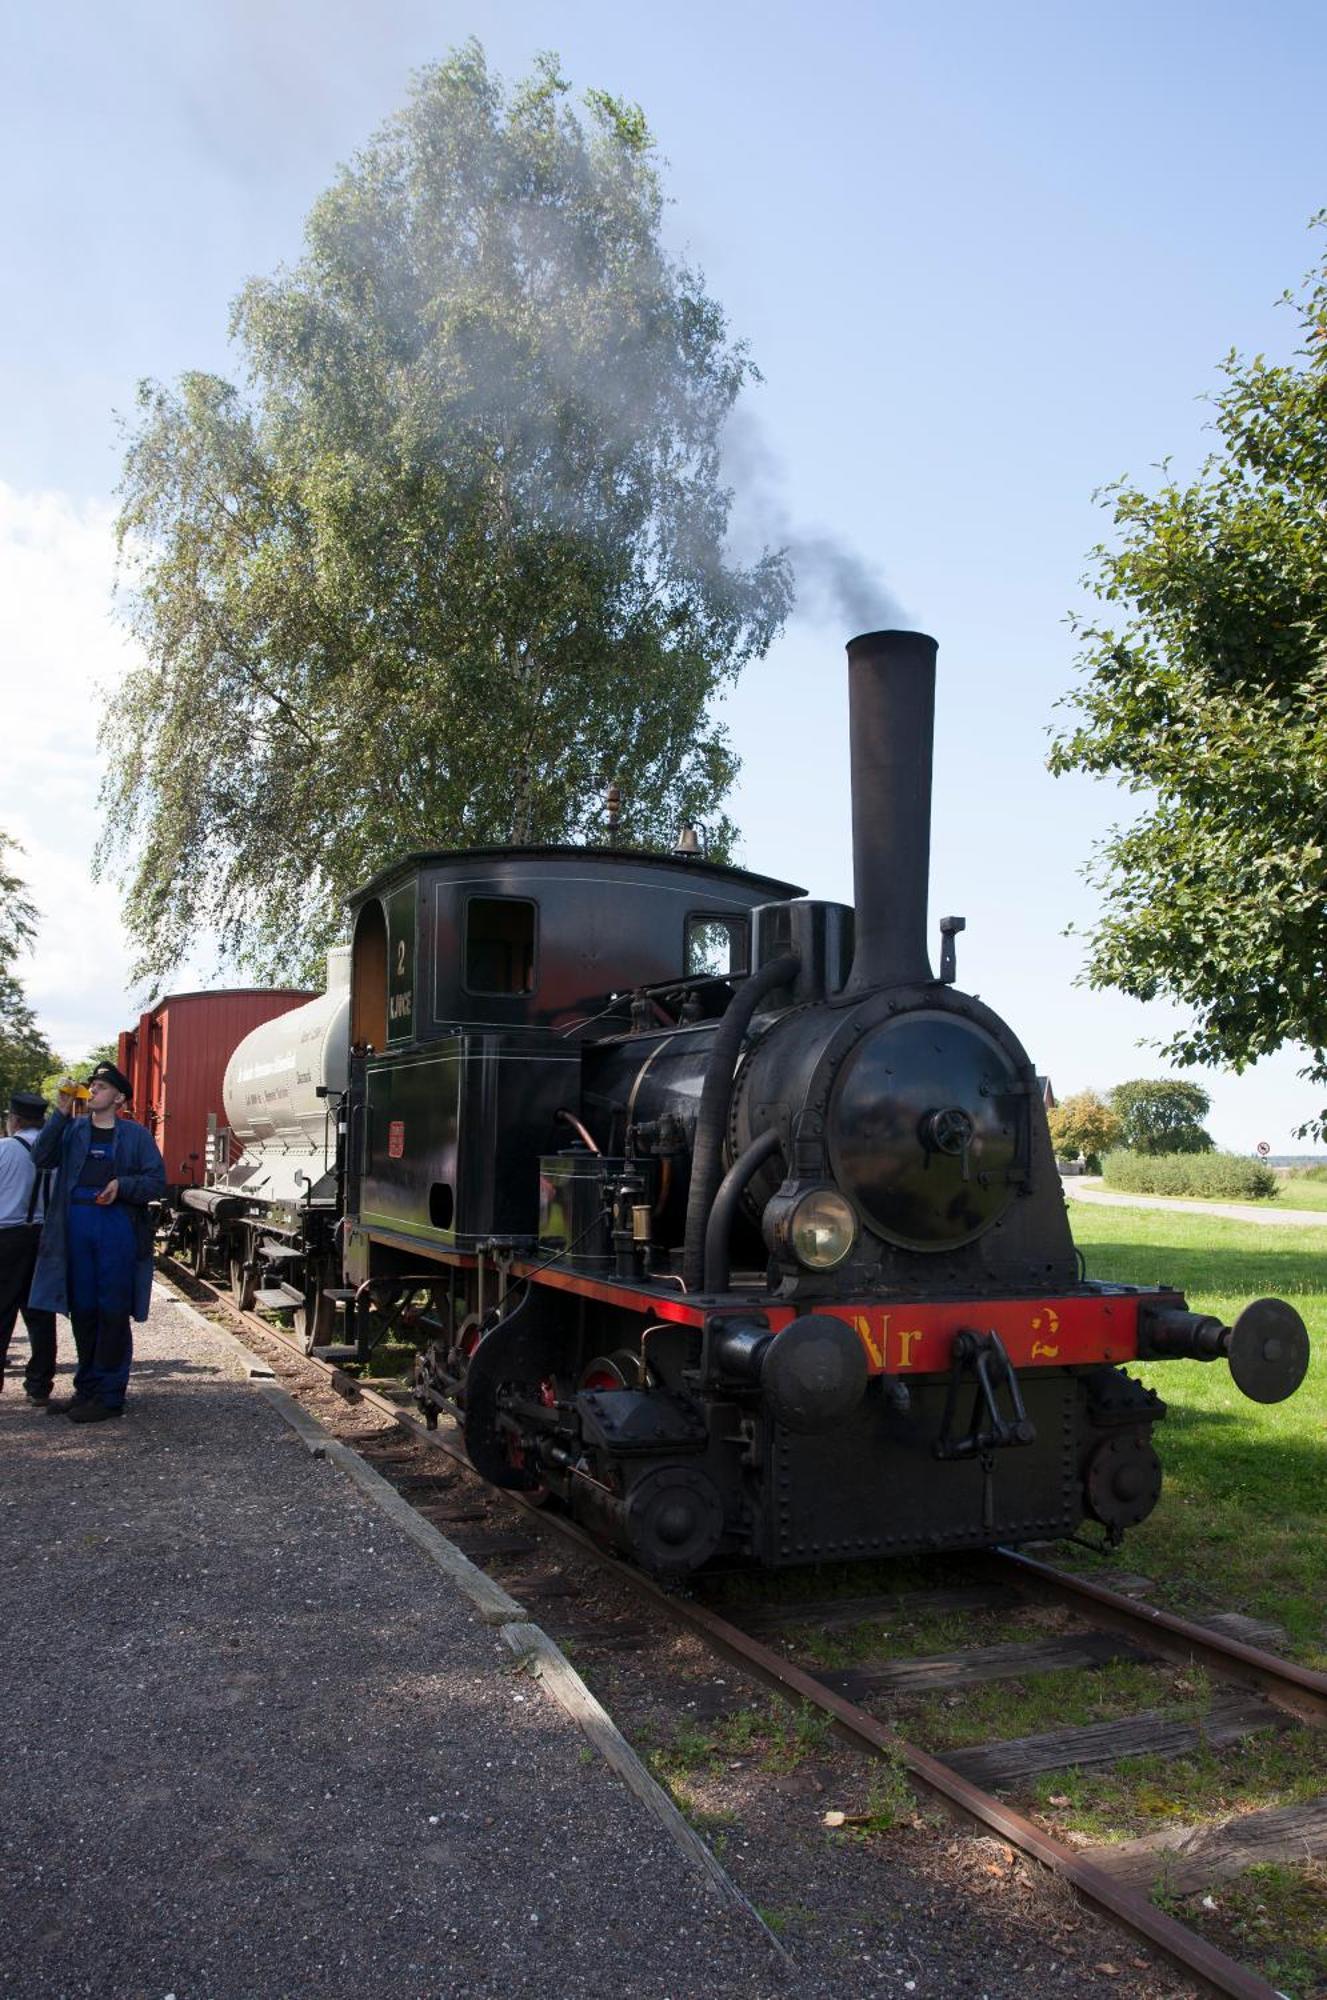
177, 1059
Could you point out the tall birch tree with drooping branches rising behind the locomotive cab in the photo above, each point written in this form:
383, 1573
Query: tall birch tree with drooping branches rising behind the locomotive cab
457, 555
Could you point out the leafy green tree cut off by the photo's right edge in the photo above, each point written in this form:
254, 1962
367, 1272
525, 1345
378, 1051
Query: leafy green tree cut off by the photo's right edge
1206, 693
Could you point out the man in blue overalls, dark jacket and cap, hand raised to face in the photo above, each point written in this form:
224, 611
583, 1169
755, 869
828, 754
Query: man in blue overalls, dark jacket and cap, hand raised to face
97, 1247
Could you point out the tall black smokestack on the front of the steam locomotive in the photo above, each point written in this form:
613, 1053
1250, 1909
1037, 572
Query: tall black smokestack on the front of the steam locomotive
892, 727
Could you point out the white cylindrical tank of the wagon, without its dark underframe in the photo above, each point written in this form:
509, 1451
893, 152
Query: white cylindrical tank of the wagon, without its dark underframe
281, 1093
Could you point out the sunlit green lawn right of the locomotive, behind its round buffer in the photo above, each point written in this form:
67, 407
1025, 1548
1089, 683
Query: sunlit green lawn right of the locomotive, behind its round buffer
1242, 1523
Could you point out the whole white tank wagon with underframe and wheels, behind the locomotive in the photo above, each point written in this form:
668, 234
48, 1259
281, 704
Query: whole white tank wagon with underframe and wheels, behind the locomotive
269, 1219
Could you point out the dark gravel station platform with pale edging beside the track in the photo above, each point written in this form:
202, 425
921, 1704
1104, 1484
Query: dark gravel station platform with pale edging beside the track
257, 1747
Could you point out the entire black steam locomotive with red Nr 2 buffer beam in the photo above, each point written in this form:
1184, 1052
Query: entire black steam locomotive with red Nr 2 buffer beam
720, 1215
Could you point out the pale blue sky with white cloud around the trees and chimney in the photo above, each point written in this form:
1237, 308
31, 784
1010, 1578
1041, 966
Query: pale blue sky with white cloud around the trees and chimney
988, 259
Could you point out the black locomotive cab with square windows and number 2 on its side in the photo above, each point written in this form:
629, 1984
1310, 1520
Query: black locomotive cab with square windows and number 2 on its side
477, 983
